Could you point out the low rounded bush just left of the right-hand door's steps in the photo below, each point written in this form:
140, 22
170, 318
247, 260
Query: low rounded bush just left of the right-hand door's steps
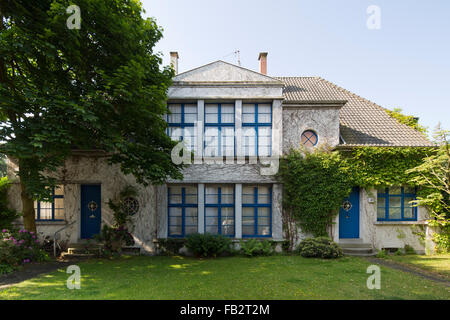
320, 247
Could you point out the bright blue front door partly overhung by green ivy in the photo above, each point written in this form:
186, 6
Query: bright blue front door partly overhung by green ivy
349, 216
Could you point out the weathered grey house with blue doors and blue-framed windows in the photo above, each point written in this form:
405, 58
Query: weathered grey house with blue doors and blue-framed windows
238, 122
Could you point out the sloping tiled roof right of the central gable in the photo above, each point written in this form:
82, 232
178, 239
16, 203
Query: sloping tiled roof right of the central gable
362, 122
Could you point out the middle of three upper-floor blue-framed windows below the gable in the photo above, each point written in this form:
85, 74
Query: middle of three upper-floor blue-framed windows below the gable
219, 129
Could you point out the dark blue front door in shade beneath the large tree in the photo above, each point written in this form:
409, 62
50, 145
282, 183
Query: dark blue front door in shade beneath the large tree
91, 210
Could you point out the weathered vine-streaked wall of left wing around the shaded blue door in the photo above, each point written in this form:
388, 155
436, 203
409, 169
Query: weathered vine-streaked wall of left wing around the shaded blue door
94, 170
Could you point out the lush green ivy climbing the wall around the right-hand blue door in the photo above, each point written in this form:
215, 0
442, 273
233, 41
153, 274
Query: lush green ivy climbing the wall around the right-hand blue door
316, 181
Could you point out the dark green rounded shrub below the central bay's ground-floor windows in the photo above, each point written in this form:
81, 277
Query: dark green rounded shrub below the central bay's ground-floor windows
208, 245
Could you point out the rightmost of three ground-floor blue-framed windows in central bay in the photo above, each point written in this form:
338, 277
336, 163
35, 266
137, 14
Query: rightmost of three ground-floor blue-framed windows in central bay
257, 211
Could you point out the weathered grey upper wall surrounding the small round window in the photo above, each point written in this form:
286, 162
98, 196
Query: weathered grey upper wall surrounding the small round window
324, 121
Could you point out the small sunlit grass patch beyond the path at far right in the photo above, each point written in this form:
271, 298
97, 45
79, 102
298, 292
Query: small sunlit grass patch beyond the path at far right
439, 264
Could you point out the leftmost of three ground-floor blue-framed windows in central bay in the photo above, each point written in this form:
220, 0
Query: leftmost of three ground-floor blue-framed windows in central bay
183, 211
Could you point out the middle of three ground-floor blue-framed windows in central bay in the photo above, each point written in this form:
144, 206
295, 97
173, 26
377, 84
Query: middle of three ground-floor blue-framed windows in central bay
219, 209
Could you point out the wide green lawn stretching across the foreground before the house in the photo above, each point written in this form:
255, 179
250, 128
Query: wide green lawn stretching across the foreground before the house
276, 277
